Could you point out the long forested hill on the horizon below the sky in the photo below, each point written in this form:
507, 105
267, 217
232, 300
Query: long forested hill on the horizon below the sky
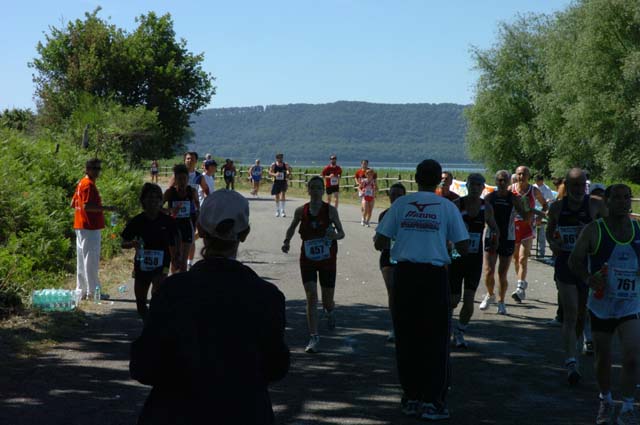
352, 130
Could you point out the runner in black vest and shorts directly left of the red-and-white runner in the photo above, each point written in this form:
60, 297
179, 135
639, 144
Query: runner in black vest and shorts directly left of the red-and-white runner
504, 204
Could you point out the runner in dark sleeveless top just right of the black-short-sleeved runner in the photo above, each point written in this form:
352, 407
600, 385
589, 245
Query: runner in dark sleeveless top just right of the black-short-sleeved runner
183, 204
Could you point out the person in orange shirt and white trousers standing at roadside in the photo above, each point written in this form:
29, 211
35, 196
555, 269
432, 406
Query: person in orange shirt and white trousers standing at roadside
88, 222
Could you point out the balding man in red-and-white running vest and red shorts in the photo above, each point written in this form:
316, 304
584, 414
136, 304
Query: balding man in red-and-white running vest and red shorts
524, 227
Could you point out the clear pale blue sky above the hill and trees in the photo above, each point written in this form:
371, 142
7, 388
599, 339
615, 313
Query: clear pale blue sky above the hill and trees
304, 51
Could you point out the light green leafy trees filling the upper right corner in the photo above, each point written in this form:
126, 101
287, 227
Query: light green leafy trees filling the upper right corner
562, 91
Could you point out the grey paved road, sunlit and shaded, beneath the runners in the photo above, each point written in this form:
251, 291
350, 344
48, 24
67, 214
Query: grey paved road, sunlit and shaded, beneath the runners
511, 374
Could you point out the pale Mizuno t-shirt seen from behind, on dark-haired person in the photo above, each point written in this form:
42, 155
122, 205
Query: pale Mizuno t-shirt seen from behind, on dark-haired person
421, 224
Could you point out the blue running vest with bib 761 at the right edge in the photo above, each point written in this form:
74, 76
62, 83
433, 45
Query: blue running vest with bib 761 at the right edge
622, 291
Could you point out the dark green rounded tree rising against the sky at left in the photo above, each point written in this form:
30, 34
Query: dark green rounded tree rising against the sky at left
146, 67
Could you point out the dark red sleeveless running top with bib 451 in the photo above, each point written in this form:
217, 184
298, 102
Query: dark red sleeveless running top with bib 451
317, 250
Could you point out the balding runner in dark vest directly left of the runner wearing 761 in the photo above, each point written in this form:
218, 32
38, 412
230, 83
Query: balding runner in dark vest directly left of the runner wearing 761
567, 218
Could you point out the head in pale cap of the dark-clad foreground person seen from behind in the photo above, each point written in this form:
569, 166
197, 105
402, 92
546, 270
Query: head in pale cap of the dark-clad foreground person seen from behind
223, 223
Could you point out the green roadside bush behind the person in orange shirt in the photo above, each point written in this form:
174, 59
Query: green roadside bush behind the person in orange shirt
36, 236
